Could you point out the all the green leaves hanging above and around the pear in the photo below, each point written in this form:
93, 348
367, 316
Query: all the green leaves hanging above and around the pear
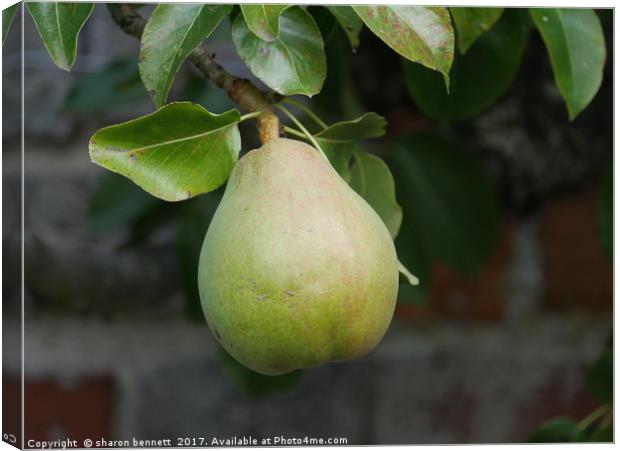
456, 63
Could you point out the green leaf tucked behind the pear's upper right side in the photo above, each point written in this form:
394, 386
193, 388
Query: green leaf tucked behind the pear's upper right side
372, 180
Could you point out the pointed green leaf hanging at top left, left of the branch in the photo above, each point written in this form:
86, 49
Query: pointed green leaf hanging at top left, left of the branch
58, 25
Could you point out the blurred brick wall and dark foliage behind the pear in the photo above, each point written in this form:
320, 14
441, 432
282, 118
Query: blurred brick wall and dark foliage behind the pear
507, 222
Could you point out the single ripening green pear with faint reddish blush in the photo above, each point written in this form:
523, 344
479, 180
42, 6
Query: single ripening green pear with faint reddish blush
296, 269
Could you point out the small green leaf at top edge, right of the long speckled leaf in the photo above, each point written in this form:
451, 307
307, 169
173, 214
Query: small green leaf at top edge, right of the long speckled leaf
470, 23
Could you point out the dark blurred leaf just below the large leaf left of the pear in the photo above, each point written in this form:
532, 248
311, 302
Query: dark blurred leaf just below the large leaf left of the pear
117, 202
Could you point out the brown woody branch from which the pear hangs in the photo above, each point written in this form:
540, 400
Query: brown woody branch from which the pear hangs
241, 91
